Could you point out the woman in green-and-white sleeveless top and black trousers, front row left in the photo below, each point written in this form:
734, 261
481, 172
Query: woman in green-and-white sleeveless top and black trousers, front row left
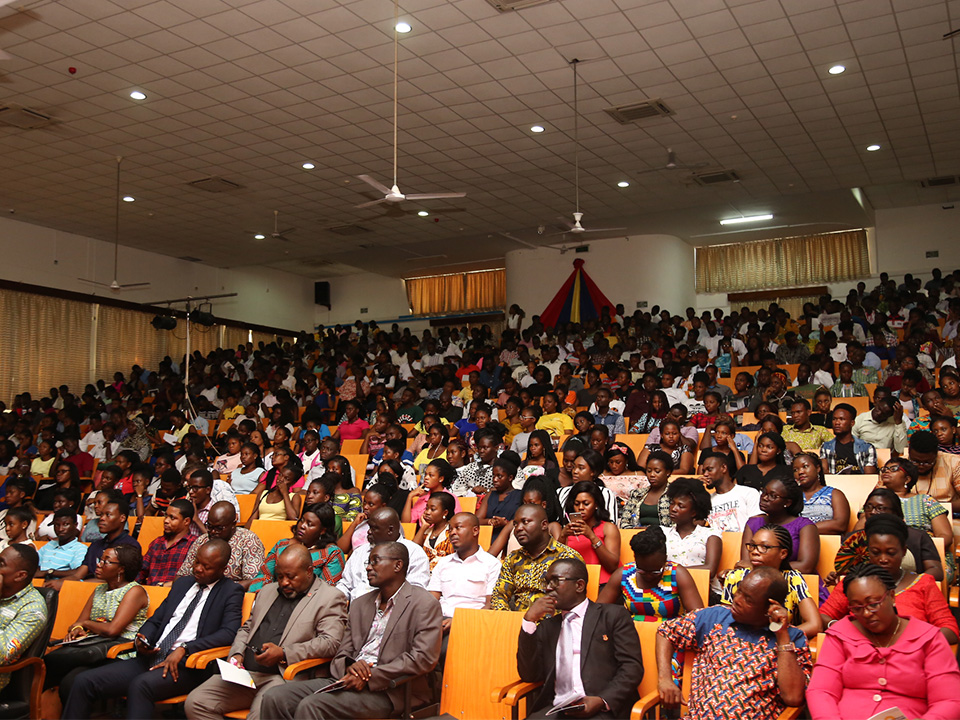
111, 616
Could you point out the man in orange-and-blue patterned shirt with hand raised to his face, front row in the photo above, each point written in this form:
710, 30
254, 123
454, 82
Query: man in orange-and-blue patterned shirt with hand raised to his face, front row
743, 668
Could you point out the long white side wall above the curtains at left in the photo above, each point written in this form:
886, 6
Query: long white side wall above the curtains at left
42, 256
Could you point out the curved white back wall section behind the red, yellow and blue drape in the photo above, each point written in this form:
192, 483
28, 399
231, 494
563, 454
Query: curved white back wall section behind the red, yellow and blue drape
654, 268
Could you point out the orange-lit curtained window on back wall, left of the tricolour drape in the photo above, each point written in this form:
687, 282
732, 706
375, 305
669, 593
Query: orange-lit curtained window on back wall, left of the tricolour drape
457, 292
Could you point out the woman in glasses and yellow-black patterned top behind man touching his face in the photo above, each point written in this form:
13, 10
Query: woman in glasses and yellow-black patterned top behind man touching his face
771, 546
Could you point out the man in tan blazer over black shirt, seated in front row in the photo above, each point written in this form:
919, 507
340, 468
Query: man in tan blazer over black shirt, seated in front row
299, 617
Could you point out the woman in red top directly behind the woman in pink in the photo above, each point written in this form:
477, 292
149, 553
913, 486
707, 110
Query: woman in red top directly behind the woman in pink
917, 596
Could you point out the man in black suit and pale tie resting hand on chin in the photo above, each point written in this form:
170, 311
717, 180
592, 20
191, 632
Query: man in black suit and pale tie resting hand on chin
586, 655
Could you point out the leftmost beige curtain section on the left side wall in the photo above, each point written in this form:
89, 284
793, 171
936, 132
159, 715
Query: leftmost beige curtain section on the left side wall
46, 343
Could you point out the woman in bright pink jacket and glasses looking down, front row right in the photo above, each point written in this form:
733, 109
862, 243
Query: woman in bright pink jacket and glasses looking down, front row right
879, 658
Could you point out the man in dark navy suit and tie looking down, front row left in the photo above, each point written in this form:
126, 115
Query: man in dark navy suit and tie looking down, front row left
202, 611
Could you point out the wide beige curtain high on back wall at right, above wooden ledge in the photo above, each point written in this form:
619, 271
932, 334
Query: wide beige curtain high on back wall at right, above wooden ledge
783, 262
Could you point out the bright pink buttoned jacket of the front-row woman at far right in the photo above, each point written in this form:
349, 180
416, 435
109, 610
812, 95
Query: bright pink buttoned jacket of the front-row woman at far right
854, 679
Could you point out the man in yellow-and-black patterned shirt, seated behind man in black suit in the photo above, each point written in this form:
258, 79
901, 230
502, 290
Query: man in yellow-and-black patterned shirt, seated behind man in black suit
521, 577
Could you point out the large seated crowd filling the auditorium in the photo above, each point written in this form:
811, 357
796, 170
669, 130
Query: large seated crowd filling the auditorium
682, 470
